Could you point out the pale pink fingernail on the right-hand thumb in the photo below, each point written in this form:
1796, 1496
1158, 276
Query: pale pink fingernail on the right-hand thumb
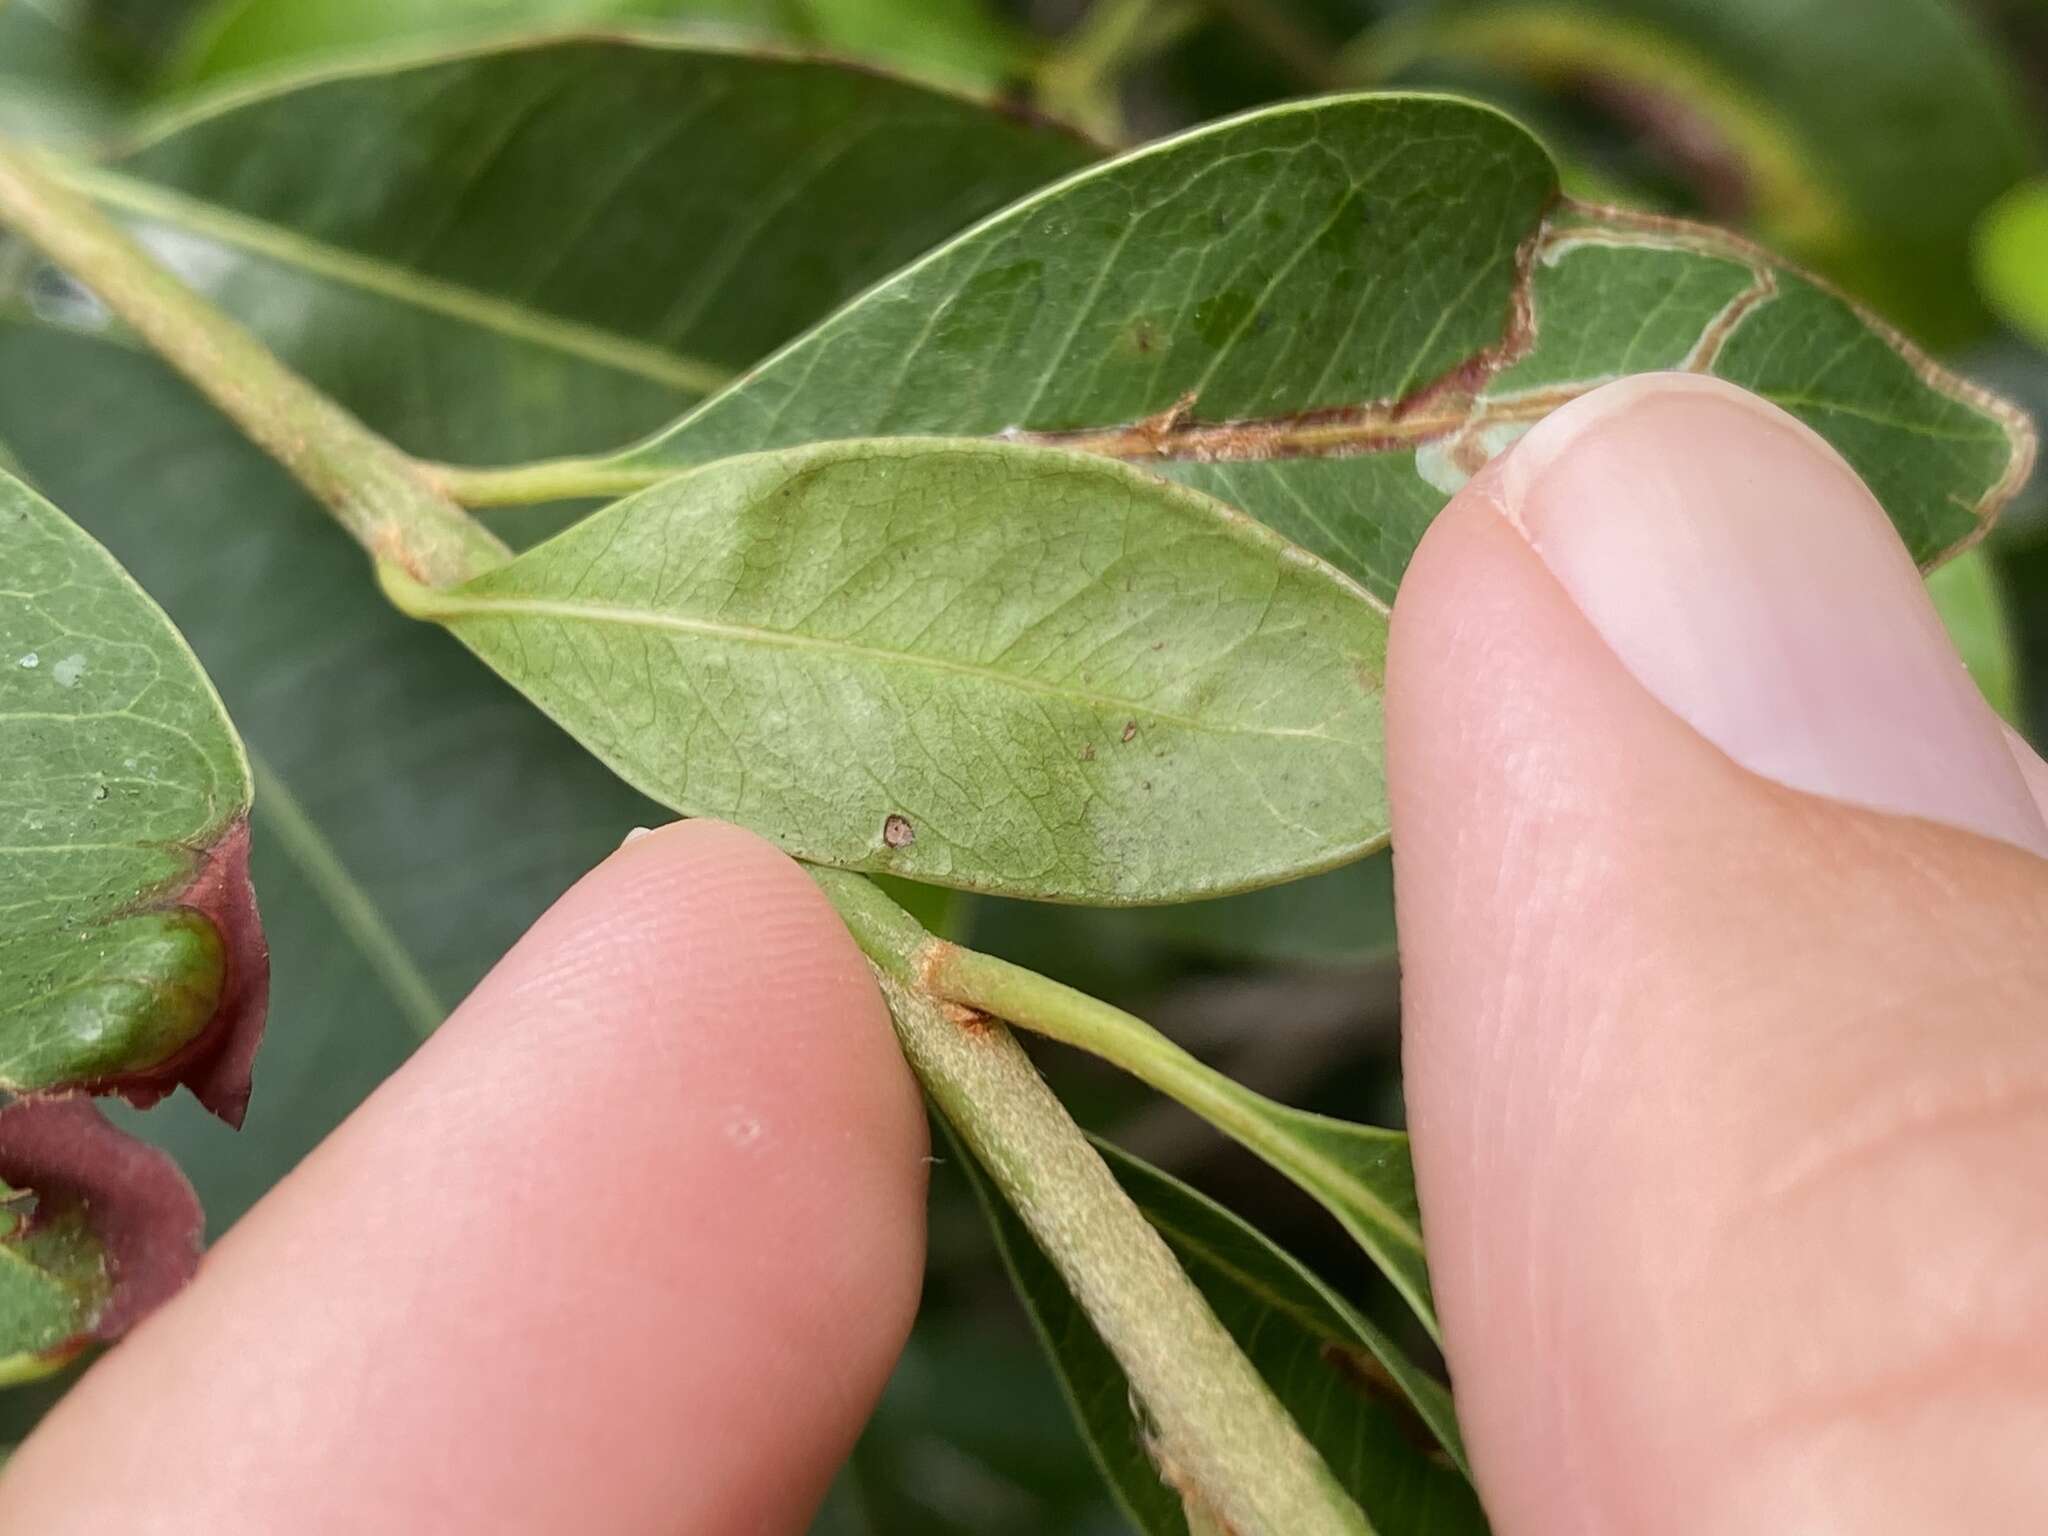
1752, 583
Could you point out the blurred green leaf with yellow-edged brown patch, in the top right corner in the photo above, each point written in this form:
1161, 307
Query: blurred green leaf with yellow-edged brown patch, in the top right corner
1863, 136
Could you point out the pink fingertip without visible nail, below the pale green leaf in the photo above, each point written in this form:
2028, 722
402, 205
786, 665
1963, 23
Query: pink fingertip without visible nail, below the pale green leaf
632, 1244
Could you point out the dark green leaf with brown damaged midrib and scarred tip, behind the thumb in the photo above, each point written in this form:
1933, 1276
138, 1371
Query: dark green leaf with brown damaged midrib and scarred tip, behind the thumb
1330, 314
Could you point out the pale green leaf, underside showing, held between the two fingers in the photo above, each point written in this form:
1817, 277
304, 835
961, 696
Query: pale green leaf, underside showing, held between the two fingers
974, 665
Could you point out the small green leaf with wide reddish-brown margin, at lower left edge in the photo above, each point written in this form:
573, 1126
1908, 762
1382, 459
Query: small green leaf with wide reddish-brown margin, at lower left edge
95, 1234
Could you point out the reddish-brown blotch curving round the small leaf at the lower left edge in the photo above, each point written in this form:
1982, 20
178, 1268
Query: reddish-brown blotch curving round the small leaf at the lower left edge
136, 1201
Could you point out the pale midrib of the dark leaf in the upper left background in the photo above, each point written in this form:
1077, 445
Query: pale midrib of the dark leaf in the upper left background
386, 280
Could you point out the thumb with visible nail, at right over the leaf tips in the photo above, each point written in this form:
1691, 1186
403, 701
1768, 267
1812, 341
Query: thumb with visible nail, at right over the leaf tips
1725, 941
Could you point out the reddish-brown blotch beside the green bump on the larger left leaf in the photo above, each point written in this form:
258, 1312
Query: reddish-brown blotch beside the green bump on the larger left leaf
220, 1060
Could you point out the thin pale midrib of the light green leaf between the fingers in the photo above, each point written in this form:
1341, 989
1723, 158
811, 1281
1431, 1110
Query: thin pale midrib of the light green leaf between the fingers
456, 607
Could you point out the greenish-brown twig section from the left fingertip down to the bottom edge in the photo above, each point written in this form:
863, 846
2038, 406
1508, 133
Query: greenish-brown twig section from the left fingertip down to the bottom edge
1220, 1435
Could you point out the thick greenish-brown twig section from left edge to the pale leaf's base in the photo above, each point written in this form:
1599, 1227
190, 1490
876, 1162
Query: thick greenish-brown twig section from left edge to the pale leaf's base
374, 490
